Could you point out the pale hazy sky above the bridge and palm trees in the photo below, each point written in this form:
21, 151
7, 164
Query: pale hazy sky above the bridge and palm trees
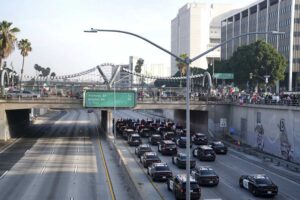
55, 30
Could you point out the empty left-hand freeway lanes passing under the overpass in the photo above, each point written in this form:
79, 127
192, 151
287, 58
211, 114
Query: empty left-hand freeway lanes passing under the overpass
64, 156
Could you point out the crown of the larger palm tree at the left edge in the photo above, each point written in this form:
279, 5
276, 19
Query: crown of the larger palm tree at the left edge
7, 39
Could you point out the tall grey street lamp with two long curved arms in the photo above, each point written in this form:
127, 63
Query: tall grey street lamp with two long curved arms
187, 61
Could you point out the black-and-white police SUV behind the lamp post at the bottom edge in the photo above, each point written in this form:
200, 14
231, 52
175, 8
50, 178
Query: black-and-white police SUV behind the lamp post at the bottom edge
177, 185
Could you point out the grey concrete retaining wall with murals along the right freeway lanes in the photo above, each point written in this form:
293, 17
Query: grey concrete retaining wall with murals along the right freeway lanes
275, 130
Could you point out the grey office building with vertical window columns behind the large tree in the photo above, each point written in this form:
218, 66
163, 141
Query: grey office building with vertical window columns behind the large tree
264, 16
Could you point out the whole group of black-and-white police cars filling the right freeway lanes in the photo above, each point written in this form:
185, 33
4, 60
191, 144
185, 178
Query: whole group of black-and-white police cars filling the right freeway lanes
168, 136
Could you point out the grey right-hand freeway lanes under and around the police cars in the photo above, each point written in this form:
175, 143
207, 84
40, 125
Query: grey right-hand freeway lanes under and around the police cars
229, 168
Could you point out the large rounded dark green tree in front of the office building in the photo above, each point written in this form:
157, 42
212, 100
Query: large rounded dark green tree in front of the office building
260, 59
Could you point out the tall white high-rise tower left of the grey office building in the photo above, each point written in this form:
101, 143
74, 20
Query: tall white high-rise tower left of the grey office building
193, 31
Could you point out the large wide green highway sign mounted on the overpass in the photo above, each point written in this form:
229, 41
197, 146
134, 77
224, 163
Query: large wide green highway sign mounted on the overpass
106, 99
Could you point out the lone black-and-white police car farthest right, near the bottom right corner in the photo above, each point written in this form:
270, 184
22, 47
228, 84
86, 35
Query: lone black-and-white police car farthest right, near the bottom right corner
258, 184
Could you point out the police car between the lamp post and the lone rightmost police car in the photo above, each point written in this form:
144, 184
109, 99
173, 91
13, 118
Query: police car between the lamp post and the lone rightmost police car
205, 175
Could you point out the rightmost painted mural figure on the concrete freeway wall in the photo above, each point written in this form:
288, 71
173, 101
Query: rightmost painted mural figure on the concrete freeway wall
285, 146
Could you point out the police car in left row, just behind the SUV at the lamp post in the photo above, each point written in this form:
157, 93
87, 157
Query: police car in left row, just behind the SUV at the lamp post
159, 172
